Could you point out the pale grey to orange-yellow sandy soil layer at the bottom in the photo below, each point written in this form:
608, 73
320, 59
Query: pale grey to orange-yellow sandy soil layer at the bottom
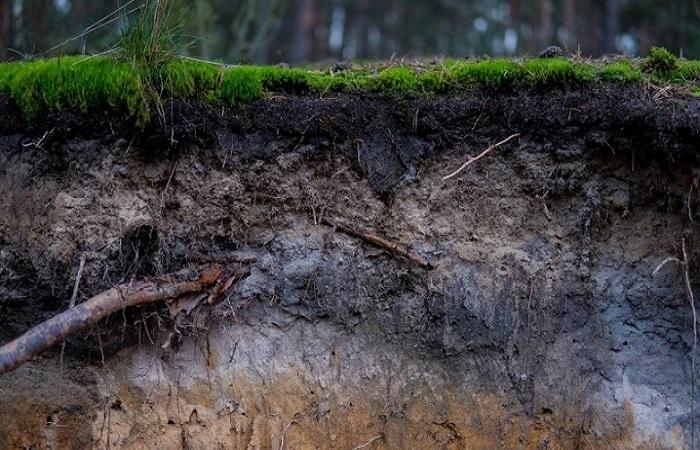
255, 390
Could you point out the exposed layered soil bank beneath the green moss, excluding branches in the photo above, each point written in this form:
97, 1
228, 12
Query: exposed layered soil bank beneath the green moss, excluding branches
540, 327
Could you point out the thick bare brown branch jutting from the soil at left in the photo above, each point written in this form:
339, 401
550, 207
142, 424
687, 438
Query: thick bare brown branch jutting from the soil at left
84, 315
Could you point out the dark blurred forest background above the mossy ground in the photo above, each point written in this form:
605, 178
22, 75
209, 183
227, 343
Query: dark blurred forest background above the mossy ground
298, 31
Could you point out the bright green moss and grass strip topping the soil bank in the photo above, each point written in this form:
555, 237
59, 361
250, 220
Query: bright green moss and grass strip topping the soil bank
131, 87
